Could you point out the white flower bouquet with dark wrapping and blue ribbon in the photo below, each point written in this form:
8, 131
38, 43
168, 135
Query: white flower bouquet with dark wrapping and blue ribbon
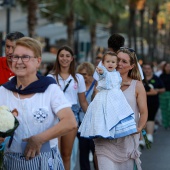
8, 124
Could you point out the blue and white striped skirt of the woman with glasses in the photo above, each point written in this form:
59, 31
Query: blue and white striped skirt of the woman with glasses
45, 161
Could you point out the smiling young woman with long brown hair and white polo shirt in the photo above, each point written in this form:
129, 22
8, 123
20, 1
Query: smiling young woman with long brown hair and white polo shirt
73, 85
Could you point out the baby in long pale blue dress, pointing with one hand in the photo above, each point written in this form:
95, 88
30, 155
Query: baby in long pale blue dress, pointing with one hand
109, 115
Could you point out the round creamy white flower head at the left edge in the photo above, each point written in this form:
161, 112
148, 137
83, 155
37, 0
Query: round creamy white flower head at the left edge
7, 119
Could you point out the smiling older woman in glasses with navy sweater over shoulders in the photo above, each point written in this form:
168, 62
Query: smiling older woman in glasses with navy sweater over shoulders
34, 143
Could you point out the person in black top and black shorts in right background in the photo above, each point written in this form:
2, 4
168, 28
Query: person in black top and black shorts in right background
153, 86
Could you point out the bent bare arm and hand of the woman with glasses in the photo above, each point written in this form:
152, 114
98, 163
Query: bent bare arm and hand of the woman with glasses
66, 124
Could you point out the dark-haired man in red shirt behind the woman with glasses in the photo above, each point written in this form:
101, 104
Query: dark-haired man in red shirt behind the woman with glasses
5, 62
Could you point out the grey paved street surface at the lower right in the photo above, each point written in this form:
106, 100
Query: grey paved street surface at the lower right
158, 157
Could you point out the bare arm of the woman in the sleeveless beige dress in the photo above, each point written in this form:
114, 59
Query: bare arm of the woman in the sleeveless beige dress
142, 105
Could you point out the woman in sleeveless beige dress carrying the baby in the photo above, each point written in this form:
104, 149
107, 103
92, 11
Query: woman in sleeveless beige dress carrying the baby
122, 153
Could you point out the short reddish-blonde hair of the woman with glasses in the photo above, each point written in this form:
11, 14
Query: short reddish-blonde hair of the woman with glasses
32, 44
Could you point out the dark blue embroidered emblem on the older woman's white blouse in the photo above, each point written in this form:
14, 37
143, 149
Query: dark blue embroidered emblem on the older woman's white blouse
40, 115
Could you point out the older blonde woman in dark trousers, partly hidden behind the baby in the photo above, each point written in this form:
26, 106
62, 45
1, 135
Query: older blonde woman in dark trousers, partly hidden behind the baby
86, 145
